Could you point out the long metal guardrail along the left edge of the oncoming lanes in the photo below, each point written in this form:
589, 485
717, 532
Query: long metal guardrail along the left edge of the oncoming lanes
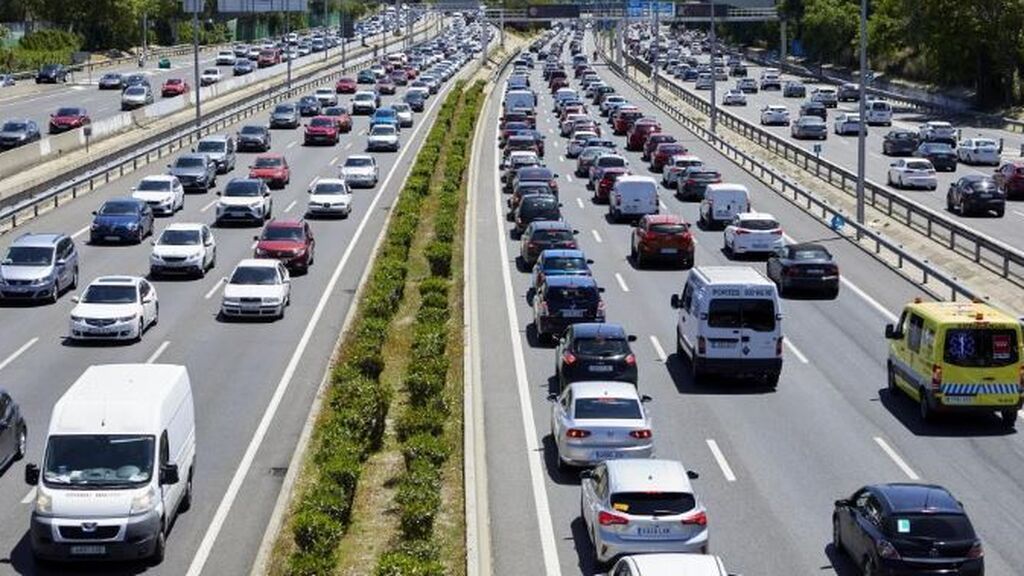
166, 144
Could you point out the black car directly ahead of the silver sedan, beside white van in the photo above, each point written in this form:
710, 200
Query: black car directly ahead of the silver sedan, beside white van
595, 352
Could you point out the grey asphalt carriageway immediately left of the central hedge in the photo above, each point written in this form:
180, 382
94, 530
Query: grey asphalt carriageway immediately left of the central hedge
253, 384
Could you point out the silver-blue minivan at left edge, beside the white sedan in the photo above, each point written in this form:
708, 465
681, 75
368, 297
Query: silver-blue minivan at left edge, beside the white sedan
39, 267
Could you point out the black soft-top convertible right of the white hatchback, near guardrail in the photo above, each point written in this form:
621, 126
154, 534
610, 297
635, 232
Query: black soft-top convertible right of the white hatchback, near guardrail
806, 268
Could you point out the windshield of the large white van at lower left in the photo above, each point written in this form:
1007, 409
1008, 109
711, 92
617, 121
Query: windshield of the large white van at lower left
103, 462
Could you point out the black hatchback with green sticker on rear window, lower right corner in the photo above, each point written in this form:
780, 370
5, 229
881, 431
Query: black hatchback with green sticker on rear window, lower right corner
907, 529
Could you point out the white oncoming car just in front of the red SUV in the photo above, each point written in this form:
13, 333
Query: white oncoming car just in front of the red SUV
258, 289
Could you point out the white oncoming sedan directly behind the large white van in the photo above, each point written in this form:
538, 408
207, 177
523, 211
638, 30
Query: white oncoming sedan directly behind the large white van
114, 308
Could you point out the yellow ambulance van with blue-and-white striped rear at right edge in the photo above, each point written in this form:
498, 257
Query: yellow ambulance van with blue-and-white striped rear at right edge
958, 357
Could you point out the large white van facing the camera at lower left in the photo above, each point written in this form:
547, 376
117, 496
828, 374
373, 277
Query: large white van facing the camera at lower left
118, 465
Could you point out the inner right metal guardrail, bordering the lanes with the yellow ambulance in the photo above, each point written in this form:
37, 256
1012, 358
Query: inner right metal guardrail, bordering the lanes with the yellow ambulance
806, 200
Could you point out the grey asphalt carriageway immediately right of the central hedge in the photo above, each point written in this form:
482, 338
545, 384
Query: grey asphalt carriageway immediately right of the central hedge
772, 464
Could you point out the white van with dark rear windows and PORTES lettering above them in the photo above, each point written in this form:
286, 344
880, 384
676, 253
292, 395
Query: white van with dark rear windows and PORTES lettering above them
731, 324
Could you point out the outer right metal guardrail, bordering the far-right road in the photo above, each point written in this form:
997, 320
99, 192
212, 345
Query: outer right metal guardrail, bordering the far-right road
1006, 261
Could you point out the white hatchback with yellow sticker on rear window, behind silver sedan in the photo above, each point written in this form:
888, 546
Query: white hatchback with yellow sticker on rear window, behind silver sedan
638, 506
